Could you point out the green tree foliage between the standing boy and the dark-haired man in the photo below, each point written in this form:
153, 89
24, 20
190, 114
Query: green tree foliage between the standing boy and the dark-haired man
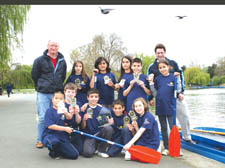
146, 61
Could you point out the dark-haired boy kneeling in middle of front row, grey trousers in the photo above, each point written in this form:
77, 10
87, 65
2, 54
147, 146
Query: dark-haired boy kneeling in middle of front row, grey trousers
96, 122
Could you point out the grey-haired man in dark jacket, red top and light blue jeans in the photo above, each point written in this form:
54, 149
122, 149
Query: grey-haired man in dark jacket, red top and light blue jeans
48, 73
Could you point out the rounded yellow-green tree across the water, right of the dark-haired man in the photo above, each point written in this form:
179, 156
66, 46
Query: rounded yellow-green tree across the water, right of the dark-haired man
196, 76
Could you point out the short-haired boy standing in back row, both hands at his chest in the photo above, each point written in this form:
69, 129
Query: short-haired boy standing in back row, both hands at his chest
136, 85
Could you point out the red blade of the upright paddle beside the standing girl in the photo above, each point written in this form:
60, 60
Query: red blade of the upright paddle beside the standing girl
174, 142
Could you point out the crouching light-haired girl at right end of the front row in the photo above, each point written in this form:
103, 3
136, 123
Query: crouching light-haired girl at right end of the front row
145, 127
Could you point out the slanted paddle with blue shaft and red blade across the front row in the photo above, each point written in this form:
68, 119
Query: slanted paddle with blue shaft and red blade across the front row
142, 153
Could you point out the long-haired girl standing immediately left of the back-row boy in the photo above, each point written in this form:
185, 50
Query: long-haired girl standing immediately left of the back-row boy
125, 72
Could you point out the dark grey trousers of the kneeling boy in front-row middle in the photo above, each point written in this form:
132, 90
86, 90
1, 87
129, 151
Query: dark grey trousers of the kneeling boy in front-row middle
90, 145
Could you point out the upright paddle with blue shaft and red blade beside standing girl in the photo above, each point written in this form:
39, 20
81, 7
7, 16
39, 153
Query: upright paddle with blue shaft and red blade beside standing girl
174, 137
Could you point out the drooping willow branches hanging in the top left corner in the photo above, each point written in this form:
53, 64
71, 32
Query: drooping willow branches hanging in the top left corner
12, 19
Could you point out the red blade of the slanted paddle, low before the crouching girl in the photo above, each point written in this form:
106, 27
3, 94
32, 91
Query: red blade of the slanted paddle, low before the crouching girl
145, 154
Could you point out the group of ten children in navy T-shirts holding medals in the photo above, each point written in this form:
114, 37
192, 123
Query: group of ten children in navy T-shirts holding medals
88, 105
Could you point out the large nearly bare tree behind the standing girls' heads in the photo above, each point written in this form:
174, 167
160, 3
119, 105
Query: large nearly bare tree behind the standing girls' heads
111, 48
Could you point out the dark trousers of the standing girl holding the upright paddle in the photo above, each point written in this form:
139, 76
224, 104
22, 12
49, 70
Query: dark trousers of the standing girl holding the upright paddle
163, 119
